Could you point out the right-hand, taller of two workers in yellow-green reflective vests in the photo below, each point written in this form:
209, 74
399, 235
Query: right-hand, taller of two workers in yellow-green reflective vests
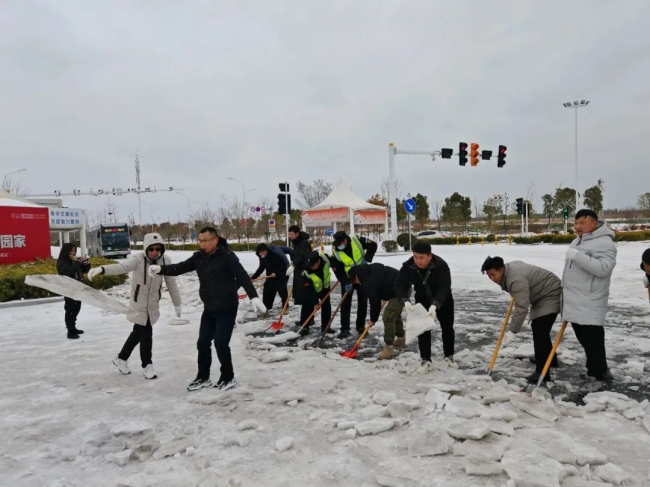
348, 252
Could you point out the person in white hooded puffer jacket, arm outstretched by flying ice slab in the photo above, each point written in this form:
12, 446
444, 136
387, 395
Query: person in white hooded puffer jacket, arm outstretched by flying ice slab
144, 308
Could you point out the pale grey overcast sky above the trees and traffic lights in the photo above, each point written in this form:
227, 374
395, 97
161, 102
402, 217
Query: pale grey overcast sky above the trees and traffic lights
269, 91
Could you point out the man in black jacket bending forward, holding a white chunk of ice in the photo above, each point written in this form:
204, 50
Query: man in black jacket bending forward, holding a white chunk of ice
430, 277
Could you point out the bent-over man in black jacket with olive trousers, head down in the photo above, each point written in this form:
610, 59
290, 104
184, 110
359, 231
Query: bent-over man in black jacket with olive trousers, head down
378, 284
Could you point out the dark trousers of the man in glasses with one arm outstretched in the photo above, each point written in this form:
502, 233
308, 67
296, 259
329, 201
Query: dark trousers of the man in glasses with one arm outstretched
216, 326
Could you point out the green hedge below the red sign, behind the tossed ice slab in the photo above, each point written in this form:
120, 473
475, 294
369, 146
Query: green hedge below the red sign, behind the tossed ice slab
12, 279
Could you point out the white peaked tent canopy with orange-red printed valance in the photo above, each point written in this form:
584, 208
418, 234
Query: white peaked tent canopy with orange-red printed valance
340, 206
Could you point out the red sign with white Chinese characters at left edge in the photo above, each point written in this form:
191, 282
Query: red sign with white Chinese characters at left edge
24, 234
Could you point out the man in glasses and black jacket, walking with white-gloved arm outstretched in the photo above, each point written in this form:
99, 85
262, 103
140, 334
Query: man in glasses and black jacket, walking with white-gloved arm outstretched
220, 275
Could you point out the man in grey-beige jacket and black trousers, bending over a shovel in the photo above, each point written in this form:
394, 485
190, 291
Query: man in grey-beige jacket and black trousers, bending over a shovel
535, 288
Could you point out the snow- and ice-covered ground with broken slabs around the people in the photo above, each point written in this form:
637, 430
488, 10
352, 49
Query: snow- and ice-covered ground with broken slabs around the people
69, 418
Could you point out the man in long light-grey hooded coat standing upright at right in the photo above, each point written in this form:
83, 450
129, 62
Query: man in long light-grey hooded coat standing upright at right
588, 268
